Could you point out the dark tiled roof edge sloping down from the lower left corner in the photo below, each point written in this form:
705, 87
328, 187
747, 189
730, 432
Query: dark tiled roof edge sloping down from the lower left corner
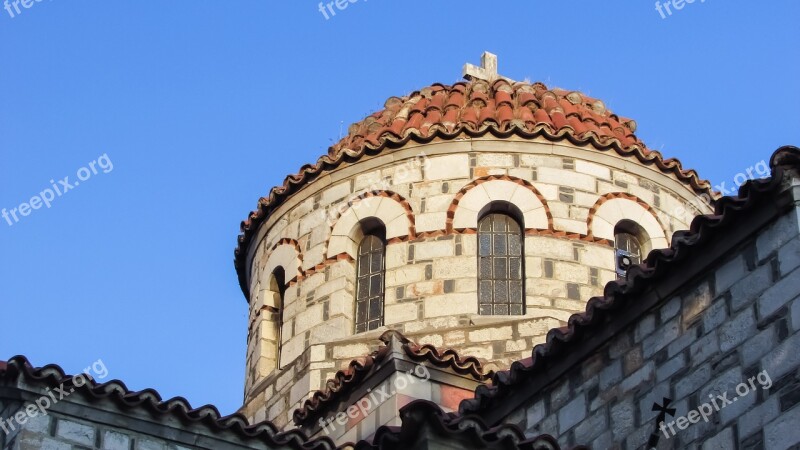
209, 415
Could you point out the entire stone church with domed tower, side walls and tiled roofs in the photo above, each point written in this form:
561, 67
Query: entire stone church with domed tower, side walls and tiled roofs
490, 264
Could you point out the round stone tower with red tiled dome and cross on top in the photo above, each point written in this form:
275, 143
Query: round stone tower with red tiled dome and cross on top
473, 217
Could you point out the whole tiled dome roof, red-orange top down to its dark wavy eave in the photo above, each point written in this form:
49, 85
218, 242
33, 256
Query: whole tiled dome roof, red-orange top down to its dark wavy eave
475, 108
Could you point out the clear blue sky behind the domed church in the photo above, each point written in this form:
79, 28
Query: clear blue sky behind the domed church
201, 106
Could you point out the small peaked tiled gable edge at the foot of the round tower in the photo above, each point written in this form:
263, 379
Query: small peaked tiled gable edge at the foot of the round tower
346, 380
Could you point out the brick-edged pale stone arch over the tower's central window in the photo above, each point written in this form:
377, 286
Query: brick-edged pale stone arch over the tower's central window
470, 199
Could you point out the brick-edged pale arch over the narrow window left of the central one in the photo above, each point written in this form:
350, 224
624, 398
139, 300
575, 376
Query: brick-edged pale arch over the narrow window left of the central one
389, 207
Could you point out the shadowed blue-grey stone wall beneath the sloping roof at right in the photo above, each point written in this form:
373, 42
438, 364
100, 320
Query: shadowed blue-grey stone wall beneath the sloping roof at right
739, 323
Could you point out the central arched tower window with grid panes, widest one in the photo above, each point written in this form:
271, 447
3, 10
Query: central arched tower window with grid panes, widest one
500, 264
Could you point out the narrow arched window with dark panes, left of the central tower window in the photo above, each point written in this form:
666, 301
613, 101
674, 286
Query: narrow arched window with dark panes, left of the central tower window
371, 273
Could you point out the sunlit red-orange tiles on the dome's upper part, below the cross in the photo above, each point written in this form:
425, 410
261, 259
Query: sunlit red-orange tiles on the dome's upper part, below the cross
502, 106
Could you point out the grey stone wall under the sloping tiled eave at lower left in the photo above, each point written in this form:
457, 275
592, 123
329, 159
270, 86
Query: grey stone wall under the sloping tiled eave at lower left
83, 422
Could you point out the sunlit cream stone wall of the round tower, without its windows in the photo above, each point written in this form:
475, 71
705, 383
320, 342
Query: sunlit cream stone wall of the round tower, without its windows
429, 196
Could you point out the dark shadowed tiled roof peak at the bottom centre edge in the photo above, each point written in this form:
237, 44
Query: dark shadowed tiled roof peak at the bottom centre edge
420, 412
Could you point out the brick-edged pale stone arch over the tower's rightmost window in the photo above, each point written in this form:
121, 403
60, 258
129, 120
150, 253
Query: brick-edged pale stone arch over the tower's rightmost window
614, 207
